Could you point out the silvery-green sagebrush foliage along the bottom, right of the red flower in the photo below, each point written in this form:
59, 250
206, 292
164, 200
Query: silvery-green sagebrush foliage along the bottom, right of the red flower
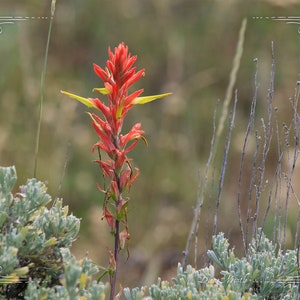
266, 273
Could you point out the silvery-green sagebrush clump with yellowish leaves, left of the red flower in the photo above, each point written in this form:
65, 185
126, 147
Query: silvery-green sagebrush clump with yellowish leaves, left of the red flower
35, 261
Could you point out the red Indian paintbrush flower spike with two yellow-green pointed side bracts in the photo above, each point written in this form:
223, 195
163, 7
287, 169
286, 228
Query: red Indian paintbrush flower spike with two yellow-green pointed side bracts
118, 76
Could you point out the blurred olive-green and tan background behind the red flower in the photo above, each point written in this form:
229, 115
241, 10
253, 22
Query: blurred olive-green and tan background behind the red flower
187, 47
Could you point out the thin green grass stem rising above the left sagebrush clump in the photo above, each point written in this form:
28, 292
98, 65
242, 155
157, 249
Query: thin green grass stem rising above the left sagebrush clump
42, 90
